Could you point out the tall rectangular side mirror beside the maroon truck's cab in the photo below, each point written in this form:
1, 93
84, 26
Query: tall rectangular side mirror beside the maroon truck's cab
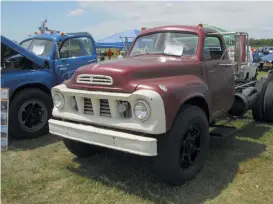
240, 48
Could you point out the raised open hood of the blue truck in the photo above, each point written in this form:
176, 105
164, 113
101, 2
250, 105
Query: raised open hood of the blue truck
19, 49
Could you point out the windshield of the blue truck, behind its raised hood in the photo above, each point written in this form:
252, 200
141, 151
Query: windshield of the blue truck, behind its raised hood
41, 47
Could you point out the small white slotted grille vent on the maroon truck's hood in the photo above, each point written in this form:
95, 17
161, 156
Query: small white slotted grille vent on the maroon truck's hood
94, 79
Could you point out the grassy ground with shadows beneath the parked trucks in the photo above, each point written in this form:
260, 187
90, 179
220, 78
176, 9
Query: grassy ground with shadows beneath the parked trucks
238, 170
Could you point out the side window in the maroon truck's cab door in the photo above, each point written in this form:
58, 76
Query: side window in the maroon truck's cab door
213, 49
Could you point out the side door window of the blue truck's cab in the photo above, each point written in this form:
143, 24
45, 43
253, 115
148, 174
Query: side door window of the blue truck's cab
76, 47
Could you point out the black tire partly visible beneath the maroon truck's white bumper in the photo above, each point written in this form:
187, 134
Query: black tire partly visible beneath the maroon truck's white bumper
81, 150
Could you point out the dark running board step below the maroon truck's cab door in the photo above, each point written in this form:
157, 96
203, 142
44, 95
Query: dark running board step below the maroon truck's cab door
221, 131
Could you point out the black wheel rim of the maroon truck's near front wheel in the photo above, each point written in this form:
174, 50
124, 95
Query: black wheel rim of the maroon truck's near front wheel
190, 147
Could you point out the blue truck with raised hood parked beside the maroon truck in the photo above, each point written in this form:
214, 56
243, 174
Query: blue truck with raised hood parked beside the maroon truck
31, 68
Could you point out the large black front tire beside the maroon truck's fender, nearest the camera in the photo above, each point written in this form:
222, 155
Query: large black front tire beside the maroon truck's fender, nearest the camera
182, 152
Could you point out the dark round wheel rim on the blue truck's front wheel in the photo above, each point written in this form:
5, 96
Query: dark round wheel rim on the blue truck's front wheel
32, 115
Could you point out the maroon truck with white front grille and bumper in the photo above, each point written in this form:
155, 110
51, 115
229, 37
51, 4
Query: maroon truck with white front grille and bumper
160, 100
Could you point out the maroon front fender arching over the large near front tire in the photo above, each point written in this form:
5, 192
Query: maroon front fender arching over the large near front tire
175, 91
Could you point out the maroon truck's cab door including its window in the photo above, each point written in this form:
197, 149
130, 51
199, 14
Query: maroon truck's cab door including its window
220, 78
